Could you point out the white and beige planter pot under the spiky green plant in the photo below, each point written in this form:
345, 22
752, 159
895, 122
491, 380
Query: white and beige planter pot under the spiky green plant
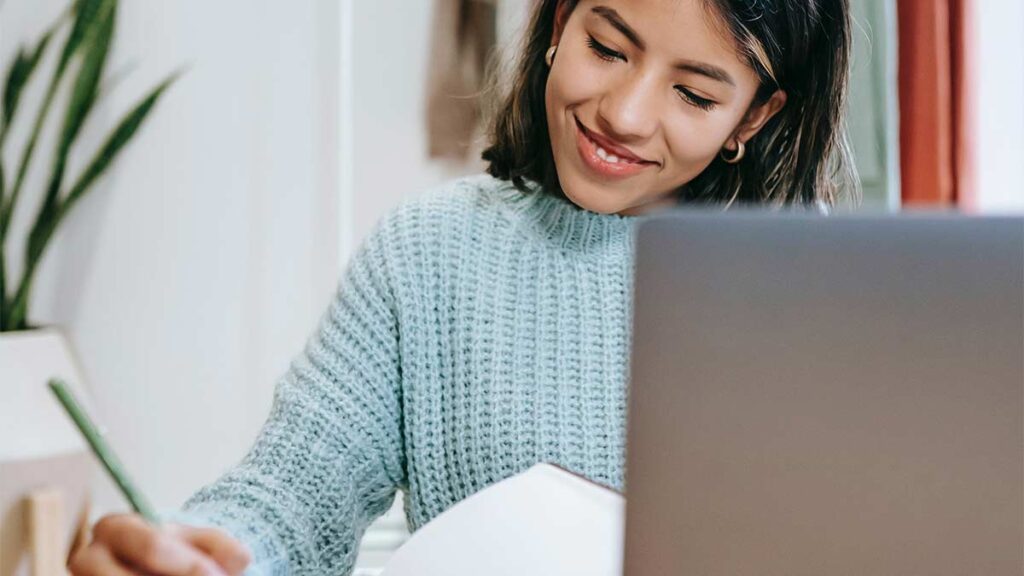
39, 446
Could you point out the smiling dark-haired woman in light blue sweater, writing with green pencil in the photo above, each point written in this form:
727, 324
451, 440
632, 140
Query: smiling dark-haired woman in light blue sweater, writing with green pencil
485, 326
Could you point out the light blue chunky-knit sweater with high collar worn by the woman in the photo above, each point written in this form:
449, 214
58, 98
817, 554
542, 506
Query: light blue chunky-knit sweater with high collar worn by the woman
479, 331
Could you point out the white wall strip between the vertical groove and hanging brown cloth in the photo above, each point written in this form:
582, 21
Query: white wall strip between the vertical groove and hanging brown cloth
389, 53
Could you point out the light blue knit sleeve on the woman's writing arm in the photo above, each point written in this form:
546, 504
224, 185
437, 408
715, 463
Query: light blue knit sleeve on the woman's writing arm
329, 459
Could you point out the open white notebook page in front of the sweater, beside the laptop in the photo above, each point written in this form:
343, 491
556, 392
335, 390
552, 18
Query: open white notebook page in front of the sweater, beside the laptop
546, 521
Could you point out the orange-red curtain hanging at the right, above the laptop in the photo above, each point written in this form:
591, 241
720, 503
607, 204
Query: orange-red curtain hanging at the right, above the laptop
936, 103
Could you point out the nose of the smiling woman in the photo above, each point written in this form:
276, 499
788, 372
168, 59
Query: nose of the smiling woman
629, 112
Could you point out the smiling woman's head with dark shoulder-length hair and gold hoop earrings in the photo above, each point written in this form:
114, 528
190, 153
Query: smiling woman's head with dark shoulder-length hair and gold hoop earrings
696, 101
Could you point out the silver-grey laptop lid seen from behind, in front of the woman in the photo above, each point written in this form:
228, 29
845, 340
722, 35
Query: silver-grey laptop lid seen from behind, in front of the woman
827, 397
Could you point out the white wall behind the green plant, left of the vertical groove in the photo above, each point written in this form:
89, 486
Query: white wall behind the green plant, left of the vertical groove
200, 266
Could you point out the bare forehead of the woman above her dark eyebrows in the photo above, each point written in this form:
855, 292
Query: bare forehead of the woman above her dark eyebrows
676, 29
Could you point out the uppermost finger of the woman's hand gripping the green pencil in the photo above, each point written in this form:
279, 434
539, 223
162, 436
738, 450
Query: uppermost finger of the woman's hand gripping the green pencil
149, 549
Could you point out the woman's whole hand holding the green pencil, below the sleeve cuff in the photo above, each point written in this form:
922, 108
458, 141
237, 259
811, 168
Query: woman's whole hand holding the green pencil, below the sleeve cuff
126, 545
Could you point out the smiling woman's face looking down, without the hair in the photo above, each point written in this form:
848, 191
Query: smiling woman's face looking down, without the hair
642, 97
